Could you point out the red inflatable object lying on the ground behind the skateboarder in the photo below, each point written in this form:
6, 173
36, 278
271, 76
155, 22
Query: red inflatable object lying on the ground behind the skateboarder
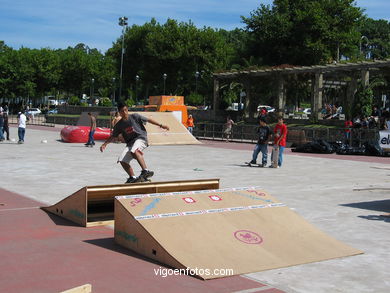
81, 133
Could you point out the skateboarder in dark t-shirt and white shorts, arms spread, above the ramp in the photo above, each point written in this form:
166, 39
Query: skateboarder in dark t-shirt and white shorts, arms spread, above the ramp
134, 133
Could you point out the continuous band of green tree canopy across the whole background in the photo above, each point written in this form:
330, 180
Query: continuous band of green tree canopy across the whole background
297, 32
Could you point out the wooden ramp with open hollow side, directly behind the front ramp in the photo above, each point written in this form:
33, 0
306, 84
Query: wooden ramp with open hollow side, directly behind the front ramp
94, 205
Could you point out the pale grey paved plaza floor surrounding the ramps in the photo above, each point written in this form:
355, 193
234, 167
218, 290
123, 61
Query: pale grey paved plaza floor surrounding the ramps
343, 196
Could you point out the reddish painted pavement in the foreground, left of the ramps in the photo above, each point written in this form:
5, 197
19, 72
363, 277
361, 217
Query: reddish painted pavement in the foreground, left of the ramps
43, 253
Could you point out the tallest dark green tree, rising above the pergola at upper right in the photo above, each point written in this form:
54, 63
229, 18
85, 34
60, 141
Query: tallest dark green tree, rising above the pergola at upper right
303, 32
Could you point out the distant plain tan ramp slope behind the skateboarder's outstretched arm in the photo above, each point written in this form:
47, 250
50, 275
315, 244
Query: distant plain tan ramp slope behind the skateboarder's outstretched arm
177, 133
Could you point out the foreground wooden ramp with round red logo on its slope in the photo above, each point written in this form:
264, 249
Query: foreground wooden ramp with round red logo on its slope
215, 233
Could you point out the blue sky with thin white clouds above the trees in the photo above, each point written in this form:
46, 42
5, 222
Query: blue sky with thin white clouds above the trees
59, 24
